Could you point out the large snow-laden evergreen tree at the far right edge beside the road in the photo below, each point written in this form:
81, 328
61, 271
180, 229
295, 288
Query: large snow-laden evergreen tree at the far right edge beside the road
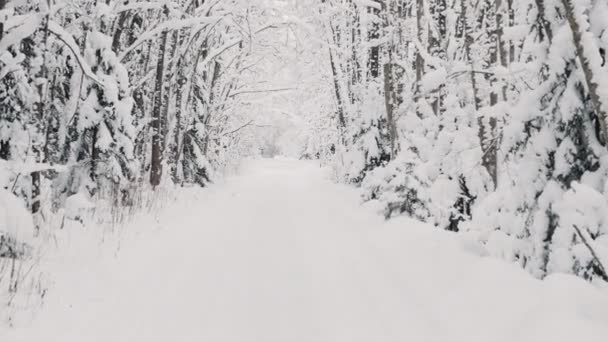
548, 219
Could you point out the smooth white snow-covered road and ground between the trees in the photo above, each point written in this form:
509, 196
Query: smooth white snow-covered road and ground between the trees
279, 253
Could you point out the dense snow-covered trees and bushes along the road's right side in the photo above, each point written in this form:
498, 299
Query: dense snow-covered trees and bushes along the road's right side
480, 116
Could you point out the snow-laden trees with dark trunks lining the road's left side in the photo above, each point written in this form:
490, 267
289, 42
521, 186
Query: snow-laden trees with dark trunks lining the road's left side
103, 100
